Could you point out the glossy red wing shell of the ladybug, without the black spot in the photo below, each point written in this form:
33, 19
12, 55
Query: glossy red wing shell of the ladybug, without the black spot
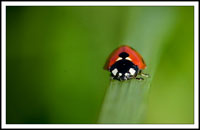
133, 54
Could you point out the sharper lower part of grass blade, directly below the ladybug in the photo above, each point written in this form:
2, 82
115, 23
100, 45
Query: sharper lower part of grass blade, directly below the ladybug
122, 99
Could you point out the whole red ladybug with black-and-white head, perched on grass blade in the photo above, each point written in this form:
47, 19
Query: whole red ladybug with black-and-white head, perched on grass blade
125, 63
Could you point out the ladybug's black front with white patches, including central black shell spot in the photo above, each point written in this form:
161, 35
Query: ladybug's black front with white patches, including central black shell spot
123, 68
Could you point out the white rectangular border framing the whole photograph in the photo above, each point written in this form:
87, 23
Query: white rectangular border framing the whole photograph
173, 3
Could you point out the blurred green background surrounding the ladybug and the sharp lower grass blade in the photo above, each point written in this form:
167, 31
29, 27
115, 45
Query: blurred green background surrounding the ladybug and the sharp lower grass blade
55, 58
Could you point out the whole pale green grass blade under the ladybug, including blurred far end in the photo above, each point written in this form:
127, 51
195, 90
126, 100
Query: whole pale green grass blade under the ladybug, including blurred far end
125, 102
